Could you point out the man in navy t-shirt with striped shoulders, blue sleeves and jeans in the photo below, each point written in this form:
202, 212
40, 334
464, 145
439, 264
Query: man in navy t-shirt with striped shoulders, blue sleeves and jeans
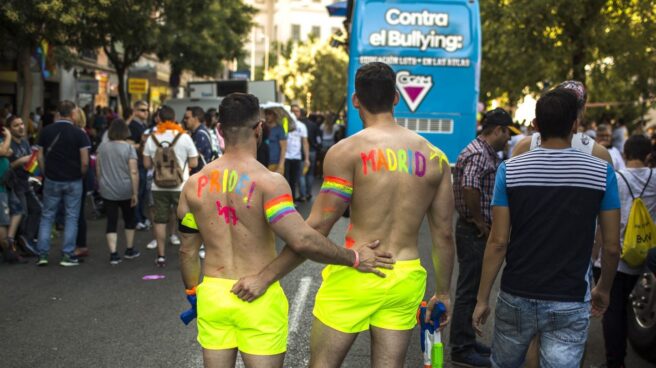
545, 206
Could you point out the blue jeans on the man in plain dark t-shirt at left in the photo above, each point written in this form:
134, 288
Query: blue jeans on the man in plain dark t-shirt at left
70, 192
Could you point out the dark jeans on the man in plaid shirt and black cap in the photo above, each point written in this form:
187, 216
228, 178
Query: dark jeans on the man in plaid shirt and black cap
470, 250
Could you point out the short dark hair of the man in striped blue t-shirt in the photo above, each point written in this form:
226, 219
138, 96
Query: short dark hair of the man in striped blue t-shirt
556, 113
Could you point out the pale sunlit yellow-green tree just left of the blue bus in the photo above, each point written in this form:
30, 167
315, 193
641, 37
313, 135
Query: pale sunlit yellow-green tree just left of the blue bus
313, 69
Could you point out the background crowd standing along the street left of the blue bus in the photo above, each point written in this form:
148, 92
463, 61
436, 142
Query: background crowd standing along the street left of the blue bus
96, 155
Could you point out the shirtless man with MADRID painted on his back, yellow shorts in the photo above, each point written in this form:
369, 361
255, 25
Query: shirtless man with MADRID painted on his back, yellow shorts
392, 178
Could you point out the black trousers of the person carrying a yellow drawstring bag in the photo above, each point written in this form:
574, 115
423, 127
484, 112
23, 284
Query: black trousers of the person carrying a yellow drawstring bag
614, 323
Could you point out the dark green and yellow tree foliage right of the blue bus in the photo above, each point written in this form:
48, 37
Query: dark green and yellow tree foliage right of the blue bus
530, 46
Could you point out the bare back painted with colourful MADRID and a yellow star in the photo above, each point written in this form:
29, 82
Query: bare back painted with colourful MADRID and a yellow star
395, 177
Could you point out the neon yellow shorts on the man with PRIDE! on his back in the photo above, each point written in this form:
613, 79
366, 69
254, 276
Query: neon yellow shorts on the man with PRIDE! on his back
227, 322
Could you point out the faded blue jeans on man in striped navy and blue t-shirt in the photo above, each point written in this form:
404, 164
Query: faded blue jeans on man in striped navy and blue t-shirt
561, 326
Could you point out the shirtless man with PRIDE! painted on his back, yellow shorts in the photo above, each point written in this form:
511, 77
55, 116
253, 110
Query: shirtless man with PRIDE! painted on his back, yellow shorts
235, 206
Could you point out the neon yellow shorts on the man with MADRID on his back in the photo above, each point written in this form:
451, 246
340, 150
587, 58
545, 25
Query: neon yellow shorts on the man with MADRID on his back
350, 301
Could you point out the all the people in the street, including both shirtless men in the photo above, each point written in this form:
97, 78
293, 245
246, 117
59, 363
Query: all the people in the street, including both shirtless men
552, 202
